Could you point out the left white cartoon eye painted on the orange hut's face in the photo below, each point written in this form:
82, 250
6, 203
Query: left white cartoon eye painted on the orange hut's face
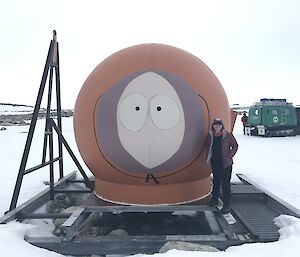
133, 111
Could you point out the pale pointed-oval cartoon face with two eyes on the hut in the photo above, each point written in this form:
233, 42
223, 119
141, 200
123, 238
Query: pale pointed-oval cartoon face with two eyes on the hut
150, 114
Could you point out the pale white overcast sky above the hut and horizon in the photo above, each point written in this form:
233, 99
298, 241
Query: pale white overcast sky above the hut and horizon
253, 47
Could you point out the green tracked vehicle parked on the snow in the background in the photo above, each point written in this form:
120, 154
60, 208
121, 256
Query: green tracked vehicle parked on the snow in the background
272, 117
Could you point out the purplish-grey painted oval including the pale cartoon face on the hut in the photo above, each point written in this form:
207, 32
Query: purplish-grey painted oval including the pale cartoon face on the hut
150, 121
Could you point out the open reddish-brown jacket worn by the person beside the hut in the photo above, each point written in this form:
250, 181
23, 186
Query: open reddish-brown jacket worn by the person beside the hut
229, 147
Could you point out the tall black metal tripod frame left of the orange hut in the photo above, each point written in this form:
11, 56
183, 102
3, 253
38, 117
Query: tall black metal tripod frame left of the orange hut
51, 67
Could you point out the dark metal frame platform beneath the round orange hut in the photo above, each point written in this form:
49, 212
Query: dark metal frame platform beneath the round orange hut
148, 228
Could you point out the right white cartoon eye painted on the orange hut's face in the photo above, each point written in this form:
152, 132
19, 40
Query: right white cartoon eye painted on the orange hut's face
164, 112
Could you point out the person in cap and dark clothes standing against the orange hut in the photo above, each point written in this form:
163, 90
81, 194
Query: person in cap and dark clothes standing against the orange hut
222, 147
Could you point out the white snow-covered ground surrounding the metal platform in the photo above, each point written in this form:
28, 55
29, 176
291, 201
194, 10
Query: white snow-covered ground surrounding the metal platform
273, 163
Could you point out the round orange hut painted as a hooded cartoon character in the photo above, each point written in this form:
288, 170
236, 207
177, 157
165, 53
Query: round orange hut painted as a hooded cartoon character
141, 121
